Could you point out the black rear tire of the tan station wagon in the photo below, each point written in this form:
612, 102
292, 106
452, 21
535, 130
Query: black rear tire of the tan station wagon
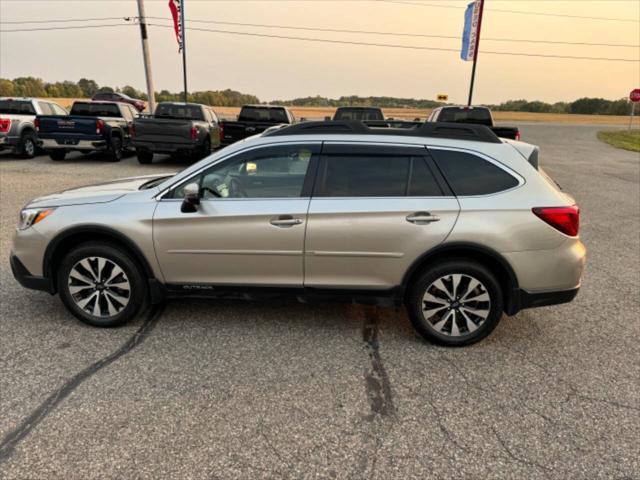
467, 334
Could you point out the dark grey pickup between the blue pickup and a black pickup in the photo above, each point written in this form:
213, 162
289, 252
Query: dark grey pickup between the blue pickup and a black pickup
176, 128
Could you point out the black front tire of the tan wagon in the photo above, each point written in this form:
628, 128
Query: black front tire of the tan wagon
137, 294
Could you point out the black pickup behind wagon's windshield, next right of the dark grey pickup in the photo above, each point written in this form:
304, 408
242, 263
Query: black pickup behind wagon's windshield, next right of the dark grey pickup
254, 119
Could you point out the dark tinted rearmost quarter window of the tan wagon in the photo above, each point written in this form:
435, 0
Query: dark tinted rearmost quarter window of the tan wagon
469, 174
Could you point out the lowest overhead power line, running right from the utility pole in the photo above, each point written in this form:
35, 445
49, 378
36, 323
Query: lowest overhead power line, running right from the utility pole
390, 45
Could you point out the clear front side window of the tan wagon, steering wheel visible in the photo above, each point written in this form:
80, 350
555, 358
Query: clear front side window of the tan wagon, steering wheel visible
272, 172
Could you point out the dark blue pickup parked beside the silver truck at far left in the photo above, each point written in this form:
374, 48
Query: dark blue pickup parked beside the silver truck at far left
89, 127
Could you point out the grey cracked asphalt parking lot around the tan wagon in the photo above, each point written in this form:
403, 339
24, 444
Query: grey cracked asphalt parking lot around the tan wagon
221, 389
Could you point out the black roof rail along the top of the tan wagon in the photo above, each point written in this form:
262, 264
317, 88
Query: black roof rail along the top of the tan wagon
477, 133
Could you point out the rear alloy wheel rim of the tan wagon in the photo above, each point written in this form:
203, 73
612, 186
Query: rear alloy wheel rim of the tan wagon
456, 305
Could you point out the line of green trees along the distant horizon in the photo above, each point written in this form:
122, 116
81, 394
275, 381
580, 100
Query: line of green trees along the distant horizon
85, 88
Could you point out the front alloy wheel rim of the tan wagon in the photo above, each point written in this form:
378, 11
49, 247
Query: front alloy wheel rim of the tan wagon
99, 287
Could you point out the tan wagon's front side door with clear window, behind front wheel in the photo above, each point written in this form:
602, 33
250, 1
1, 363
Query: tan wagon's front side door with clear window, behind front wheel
249, 227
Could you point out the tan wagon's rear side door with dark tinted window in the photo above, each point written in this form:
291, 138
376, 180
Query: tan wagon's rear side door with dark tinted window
374, 211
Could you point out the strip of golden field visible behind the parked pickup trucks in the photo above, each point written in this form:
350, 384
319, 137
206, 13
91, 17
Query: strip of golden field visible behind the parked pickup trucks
318, 113
